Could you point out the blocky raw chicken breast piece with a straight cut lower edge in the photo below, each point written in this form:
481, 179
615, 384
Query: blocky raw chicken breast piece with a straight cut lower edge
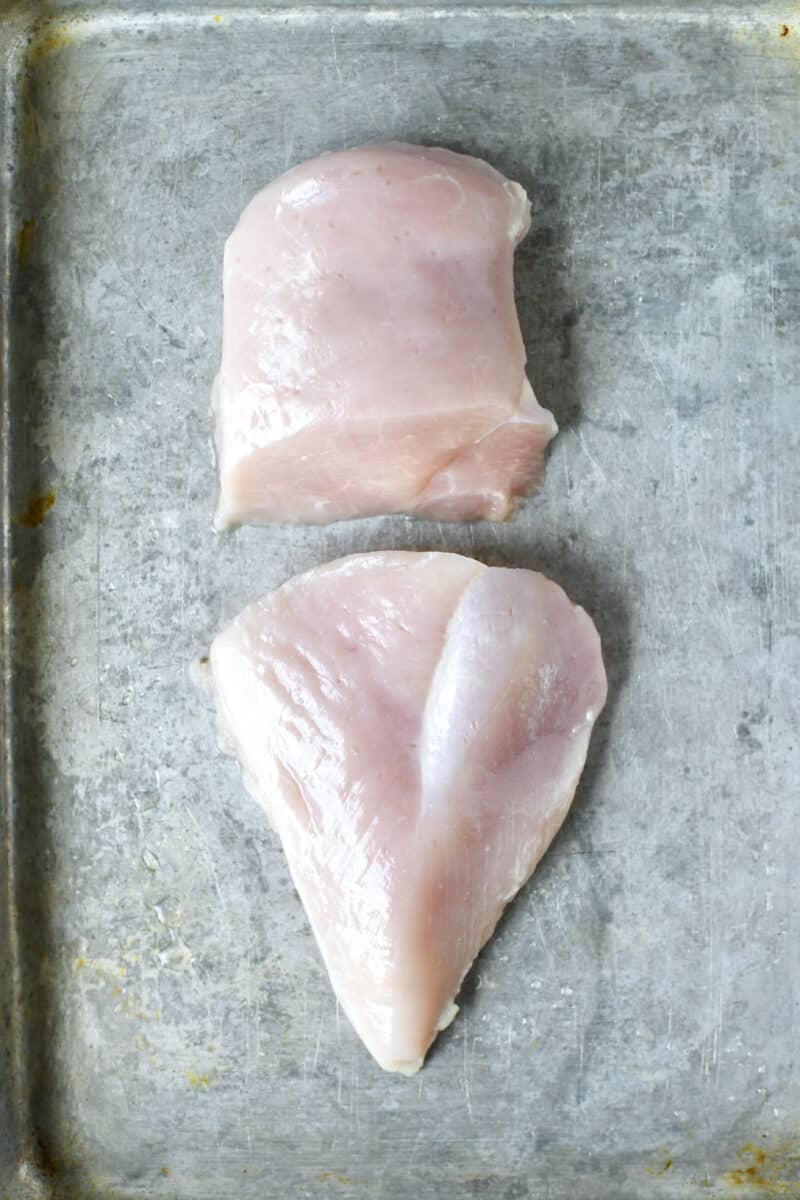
372, 359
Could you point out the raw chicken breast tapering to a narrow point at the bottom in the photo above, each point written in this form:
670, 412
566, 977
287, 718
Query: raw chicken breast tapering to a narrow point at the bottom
416, 727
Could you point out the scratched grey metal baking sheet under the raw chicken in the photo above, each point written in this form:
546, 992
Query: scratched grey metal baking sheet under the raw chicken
631, 1031
